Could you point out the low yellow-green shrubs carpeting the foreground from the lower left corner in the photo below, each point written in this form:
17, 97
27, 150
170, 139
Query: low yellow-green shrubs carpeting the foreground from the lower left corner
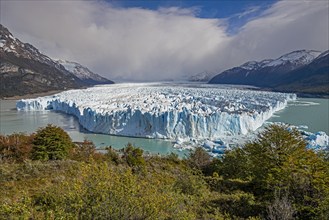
97, 190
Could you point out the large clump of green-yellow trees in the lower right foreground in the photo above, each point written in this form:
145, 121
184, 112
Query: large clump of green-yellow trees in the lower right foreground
279, 161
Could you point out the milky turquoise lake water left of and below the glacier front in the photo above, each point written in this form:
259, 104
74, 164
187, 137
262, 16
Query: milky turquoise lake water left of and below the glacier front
29, 121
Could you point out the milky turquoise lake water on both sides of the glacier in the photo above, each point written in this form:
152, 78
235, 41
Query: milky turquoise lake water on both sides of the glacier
309, 112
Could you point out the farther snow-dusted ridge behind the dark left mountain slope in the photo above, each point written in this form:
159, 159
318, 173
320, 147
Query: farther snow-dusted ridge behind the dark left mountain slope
83, 72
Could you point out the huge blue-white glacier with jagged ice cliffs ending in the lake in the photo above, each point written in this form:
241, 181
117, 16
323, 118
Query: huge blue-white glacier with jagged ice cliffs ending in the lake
159, 110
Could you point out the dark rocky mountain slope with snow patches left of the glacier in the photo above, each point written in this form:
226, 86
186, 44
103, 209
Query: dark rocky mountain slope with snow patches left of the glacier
24, 70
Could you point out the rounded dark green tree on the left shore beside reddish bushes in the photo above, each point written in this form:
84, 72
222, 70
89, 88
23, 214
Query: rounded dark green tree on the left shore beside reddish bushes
51, 143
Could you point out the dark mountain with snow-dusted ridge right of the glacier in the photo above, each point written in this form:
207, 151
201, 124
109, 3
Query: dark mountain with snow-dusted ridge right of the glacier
302, 71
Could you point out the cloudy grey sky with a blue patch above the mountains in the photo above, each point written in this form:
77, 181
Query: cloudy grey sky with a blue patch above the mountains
167, 41
